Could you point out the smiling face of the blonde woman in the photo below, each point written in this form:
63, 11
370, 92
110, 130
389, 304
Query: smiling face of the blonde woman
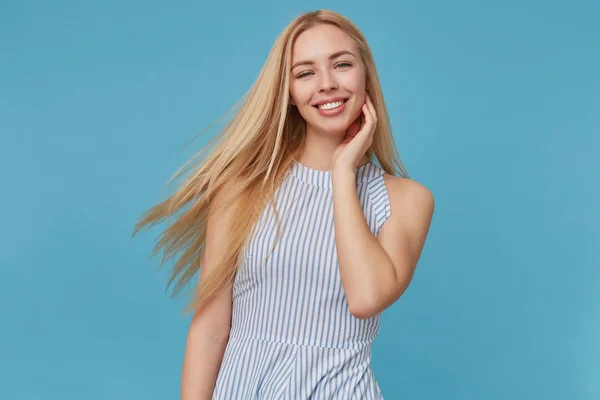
326, 67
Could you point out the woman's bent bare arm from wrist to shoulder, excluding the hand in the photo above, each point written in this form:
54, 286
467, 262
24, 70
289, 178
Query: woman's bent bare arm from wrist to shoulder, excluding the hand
375, 271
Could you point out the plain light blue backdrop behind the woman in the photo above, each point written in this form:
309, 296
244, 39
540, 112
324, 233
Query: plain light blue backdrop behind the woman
495, 107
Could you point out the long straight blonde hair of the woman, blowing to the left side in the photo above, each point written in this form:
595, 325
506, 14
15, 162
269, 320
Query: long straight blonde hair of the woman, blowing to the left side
255, 150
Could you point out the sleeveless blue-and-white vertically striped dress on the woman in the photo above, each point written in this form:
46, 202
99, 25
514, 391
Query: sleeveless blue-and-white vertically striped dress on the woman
292, 334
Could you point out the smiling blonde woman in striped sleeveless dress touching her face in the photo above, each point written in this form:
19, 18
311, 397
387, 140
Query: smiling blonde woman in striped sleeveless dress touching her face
301, 240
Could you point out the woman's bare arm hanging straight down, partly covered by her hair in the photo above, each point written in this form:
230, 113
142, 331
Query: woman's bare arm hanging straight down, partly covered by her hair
209, 330
